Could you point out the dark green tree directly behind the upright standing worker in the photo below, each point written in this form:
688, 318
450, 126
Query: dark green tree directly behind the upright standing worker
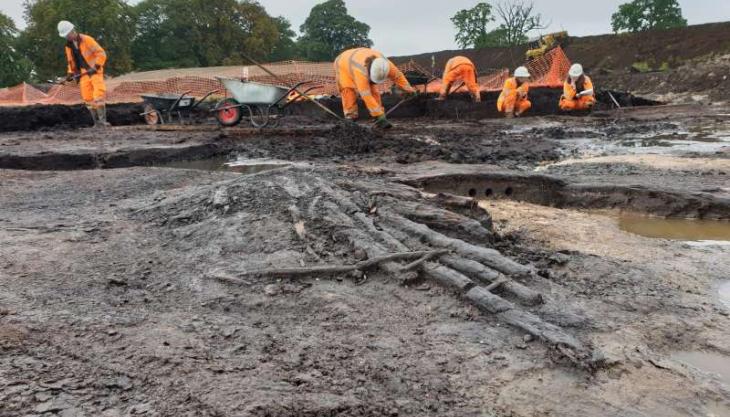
110, 22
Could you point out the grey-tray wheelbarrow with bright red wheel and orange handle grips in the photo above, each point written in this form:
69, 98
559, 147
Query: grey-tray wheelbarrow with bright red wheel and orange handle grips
263, 104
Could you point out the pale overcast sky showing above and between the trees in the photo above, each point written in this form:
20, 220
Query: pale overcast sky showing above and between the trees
404, 27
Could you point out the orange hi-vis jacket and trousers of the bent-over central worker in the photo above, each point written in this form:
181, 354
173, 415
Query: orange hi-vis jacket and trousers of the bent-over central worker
352, 74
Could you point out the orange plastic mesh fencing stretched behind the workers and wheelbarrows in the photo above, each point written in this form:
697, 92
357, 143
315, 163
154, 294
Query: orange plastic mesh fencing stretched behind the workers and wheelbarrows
547, 71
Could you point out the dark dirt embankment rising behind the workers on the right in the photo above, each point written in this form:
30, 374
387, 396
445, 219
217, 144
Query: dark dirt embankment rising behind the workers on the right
695, 61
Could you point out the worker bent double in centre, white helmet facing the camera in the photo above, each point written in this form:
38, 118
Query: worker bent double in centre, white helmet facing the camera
359, 71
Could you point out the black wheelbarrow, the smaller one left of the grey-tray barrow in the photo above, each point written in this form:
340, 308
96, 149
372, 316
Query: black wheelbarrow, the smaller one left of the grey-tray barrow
158, 107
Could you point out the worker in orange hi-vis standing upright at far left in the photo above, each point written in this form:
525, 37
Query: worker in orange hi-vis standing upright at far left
86, 61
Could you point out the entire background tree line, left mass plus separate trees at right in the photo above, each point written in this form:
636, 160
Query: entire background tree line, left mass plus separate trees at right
158, 34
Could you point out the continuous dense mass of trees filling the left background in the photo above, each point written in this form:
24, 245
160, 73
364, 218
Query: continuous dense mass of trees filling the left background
158, 34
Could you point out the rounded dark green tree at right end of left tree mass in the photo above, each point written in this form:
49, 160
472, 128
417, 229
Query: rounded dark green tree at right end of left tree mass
329, 30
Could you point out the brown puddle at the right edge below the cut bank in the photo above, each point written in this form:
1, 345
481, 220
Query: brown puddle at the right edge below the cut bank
674, 229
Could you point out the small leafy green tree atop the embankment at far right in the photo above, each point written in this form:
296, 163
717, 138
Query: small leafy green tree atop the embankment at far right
640, 15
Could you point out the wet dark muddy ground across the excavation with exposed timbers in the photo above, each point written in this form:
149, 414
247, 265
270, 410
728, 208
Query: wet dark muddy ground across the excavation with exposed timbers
128, 291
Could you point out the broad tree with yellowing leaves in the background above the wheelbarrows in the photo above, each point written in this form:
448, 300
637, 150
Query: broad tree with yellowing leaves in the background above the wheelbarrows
200, 33
